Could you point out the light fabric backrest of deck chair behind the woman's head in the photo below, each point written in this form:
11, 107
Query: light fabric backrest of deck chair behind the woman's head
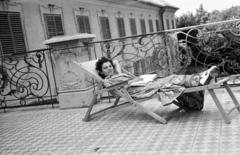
90, 68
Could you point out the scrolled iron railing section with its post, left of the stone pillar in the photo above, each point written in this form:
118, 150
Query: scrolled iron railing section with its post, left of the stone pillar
27, 80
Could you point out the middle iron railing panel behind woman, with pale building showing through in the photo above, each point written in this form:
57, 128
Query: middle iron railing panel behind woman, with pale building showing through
140, 54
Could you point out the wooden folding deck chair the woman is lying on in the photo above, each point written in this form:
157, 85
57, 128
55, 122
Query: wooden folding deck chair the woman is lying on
121, 92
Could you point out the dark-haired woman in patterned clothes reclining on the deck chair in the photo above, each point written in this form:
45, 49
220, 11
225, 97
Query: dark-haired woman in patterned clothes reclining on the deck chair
169, 88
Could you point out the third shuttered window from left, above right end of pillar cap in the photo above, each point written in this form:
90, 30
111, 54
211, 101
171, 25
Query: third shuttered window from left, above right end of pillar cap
83, 24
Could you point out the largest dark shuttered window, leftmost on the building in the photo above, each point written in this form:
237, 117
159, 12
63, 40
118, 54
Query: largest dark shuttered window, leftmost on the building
11, 33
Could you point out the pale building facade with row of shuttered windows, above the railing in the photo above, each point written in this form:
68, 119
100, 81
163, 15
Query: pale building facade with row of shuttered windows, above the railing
25, 24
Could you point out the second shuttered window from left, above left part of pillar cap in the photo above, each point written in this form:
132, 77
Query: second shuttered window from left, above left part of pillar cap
54, 25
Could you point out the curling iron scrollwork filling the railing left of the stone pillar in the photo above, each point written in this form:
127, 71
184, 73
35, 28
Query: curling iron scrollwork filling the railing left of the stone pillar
23, 78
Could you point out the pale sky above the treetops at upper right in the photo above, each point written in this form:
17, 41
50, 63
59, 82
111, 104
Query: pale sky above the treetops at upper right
186, 6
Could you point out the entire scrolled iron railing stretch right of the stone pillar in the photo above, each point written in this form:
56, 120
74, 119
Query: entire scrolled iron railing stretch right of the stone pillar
183, 50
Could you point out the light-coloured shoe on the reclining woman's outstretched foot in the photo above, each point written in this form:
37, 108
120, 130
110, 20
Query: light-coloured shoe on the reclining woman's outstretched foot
209, 74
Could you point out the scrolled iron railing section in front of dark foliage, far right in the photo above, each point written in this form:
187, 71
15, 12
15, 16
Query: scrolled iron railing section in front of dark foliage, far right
214, 45
